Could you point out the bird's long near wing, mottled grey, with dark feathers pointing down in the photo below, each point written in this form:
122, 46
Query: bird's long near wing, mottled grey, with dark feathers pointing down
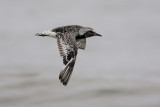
68, 50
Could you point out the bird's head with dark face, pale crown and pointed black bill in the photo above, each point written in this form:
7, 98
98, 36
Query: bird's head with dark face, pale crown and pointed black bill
88, 32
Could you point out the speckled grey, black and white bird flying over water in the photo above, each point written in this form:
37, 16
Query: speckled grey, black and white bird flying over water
69, 39
